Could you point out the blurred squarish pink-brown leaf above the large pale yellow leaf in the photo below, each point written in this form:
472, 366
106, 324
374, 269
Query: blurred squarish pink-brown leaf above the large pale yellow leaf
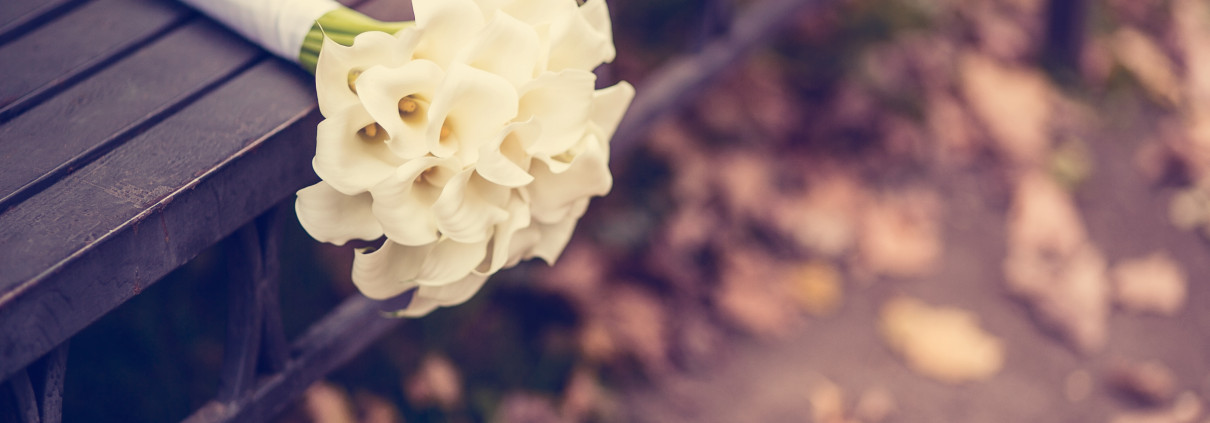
901, 236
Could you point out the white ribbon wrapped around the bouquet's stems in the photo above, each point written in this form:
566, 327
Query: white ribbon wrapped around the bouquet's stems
279, 26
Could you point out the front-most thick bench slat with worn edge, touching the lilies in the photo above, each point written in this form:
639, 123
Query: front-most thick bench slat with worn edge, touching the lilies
87, 245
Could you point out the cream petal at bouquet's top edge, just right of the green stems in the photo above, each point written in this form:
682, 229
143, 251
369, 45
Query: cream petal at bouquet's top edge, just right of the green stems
447, 26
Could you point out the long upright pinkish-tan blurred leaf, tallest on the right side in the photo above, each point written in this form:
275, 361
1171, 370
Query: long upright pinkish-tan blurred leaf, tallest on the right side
1053, 266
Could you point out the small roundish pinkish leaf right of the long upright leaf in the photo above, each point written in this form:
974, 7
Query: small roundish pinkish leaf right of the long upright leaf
1151, 285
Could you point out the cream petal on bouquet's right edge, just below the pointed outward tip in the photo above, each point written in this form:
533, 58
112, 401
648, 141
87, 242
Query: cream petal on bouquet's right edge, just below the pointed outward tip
554, 194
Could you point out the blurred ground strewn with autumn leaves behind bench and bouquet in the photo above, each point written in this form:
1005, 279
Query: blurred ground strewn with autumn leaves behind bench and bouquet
896, 211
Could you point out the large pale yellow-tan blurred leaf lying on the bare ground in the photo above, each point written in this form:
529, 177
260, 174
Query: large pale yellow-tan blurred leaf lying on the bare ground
944, 344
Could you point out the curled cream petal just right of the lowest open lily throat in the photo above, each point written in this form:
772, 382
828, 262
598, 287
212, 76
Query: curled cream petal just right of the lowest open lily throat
469, 208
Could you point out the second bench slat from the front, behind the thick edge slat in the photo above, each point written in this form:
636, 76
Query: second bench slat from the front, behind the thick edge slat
66, 132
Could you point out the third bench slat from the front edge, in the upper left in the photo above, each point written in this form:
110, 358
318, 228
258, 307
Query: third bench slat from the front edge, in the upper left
70, 48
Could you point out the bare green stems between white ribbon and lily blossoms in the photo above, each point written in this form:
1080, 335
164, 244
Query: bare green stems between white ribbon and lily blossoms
342, 26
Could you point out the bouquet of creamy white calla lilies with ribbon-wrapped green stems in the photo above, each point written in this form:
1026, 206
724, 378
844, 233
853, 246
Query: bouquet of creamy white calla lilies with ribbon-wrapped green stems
470, 140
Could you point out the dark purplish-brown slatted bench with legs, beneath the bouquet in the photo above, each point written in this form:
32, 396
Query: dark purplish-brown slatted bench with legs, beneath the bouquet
136, 134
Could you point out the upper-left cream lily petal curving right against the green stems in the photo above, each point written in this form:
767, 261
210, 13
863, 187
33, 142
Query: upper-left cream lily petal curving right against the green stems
368, 50
